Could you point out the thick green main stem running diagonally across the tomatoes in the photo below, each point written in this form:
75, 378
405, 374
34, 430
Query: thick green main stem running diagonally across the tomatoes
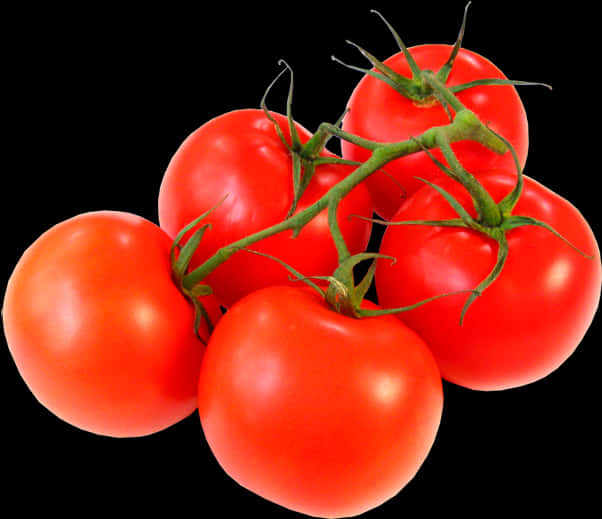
465, 125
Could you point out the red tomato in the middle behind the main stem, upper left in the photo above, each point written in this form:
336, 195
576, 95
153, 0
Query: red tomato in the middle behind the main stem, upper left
239, 154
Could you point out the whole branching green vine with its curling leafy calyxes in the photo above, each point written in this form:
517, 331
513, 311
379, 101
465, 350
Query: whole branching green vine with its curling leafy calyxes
343, 294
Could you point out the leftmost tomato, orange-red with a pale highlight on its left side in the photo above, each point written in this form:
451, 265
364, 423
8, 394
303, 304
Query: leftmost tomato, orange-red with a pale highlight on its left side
99, 332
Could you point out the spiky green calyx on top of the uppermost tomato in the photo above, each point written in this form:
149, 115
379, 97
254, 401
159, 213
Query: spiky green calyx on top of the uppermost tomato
417, 88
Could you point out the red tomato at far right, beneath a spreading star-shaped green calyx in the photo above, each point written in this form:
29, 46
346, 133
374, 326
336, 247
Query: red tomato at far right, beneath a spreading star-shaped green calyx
529, 321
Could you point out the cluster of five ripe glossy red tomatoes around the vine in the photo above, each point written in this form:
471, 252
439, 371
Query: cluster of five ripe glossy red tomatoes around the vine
317, 410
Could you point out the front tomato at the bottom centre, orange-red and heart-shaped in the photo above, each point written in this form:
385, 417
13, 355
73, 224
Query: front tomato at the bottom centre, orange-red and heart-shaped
320, 413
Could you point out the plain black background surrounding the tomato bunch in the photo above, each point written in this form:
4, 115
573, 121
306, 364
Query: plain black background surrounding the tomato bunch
100, 98
